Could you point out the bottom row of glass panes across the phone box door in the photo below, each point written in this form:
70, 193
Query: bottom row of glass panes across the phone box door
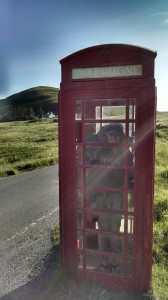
107, 264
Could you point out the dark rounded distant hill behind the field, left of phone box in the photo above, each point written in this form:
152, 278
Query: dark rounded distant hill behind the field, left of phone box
45, 98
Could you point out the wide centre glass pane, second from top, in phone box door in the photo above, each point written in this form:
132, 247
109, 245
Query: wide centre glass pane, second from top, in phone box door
105, 133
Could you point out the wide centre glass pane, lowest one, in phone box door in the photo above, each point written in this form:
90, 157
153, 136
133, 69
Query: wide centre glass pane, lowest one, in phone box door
105, 264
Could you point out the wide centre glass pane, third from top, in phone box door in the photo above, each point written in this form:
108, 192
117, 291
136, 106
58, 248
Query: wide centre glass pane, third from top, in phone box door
105, 155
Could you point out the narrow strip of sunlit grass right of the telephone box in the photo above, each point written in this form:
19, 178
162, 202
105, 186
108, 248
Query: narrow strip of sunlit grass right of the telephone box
160, 248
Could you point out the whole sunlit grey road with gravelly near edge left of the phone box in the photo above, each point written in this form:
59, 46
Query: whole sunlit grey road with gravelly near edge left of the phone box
28, 213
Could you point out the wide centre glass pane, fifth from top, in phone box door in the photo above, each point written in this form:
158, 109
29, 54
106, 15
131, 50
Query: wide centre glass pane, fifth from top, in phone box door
105, 200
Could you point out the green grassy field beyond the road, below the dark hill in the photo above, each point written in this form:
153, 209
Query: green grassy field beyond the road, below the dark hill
25, 146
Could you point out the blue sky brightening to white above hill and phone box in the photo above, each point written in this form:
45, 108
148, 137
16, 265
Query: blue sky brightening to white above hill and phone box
36, 34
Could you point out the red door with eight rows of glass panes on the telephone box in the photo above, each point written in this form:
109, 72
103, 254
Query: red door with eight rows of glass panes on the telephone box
109, 164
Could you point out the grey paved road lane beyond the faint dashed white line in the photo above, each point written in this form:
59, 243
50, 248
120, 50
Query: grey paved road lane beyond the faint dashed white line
26, 198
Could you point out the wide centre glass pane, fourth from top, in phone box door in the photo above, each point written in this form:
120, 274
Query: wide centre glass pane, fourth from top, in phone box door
105, 178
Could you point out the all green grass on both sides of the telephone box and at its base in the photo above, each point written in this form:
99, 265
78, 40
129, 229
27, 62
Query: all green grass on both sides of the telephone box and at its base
28, 145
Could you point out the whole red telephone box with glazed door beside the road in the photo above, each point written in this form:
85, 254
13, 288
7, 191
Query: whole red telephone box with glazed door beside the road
107, 107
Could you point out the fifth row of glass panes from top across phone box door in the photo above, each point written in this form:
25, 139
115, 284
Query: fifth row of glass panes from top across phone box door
117, 201
